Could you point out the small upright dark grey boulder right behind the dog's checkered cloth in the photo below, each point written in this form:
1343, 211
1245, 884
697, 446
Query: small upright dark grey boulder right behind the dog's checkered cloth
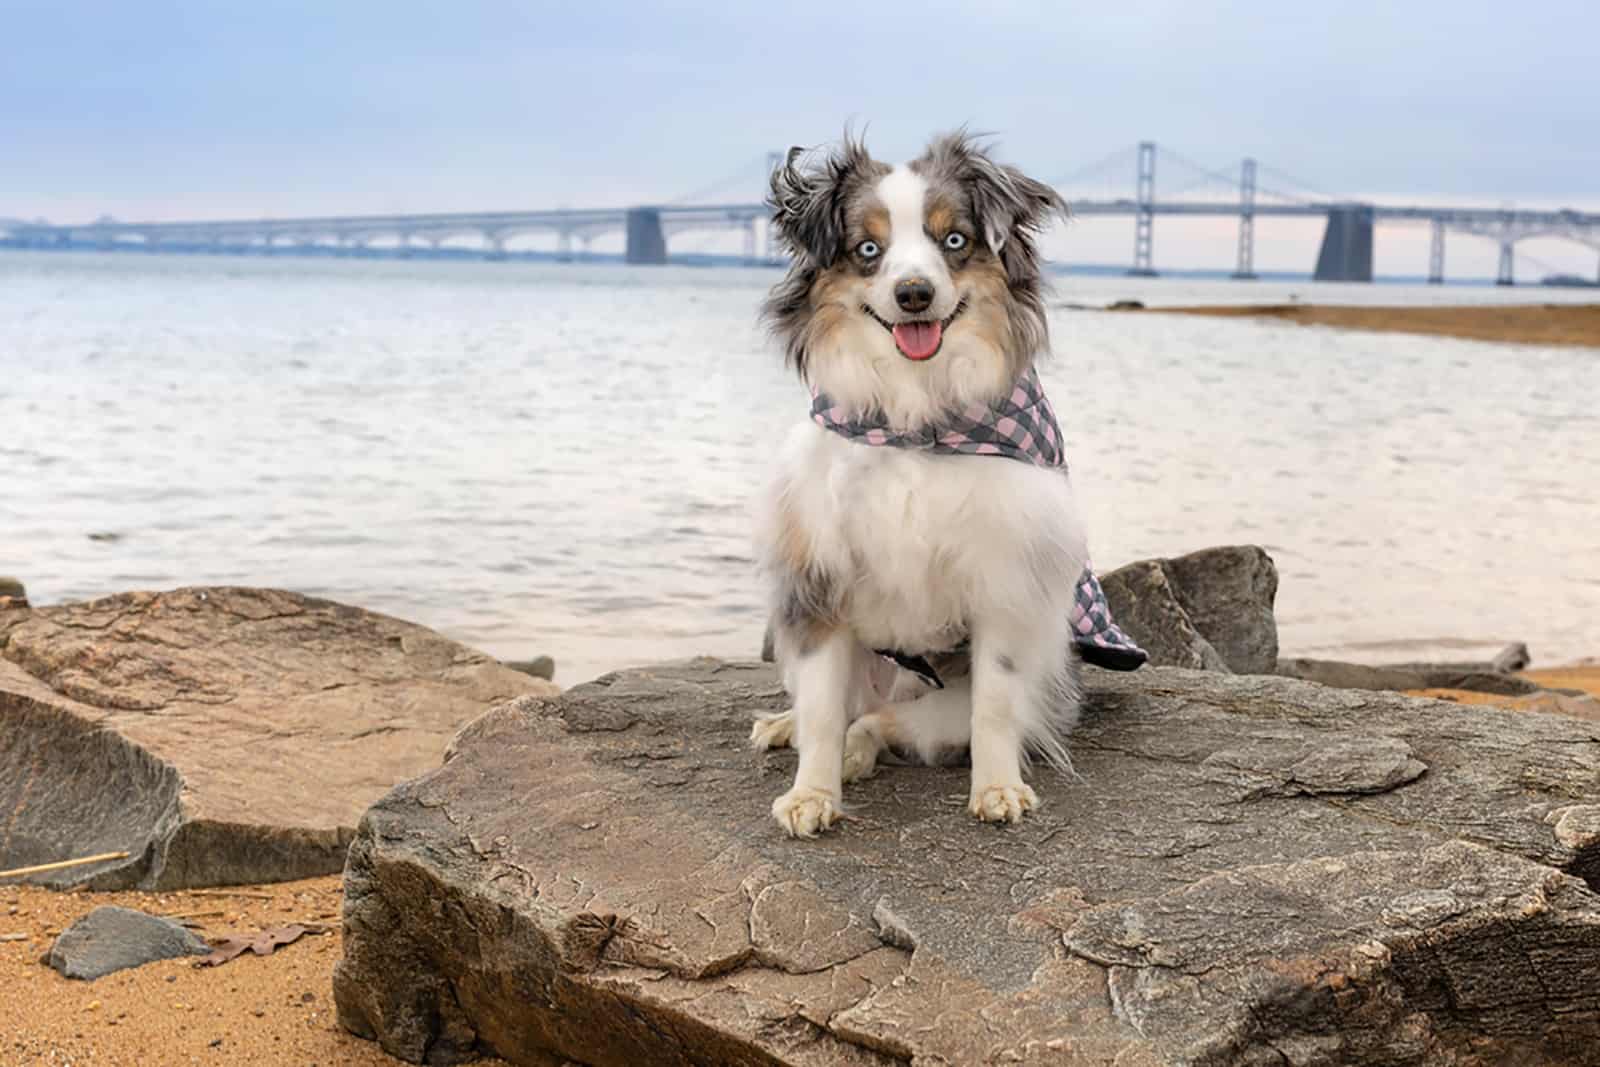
1210, 610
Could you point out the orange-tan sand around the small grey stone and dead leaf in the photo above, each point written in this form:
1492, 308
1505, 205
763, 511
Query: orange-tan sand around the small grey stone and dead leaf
255, 1010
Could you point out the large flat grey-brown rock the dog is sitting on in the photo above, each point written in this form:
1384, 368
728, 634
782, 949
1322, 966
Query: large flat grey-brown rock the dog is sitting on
1246, 871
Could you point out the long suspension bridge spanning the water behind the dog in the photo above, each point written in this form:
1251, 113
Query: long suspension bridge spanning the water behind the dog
1188, 190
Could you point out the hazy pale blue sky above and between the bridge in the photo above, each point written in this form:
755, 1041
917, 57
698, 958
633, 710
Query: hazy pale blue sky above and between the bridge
169, 110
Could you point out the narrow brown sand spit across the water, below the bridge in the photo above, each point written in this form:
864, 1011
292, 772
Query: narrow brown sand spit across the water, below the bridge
1522, 324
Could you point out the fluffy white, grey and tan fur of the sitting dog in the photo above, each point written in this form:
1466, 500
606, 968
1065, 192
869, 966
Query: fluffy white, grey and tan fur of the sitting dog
897, 549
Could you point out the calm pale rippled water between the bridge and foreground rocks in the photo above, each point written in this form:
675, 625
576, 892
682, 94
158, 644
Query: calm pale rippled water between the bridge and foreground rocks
559, 460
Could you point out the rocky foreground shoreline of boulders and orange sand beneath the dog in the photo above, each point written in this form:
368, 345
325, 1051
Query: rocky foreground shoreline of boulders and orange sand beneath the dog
1258, 860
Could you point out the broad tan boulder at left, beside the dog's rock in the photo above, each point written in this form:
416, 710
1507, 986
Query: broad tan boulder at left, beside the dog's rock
218, 735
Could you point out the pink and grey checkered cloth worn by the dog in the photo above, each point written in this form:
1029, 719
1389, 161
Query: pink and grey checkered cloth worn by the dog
1022, 428
